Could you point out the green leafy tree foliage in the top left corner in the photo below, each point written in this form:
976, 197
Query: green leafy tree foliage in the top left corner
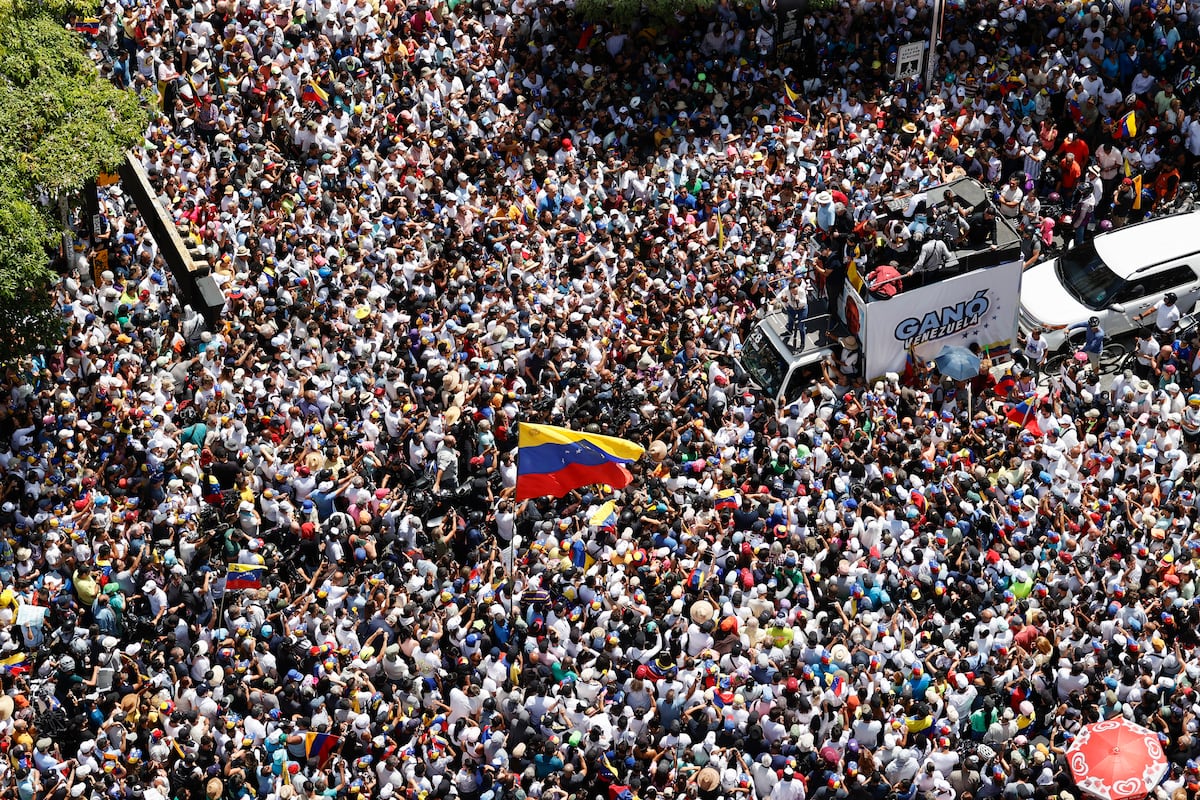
62, 125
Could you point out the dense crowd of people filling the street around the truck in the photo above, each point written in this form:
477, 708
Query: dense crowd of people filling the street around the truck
281, 557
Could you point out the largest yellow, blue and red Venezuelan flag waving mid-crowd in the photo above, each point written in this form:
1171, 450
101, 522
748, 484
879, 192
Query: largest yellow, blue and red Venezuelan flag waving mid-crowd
555, 461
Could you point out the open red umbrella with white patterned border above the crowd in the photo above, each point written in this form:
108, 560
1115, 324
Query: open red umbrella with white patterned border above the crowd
1117, 760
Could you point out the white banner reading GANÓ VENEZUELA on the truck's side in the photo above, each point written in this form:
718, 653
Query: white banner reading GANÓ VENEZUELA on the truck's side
977, 308
